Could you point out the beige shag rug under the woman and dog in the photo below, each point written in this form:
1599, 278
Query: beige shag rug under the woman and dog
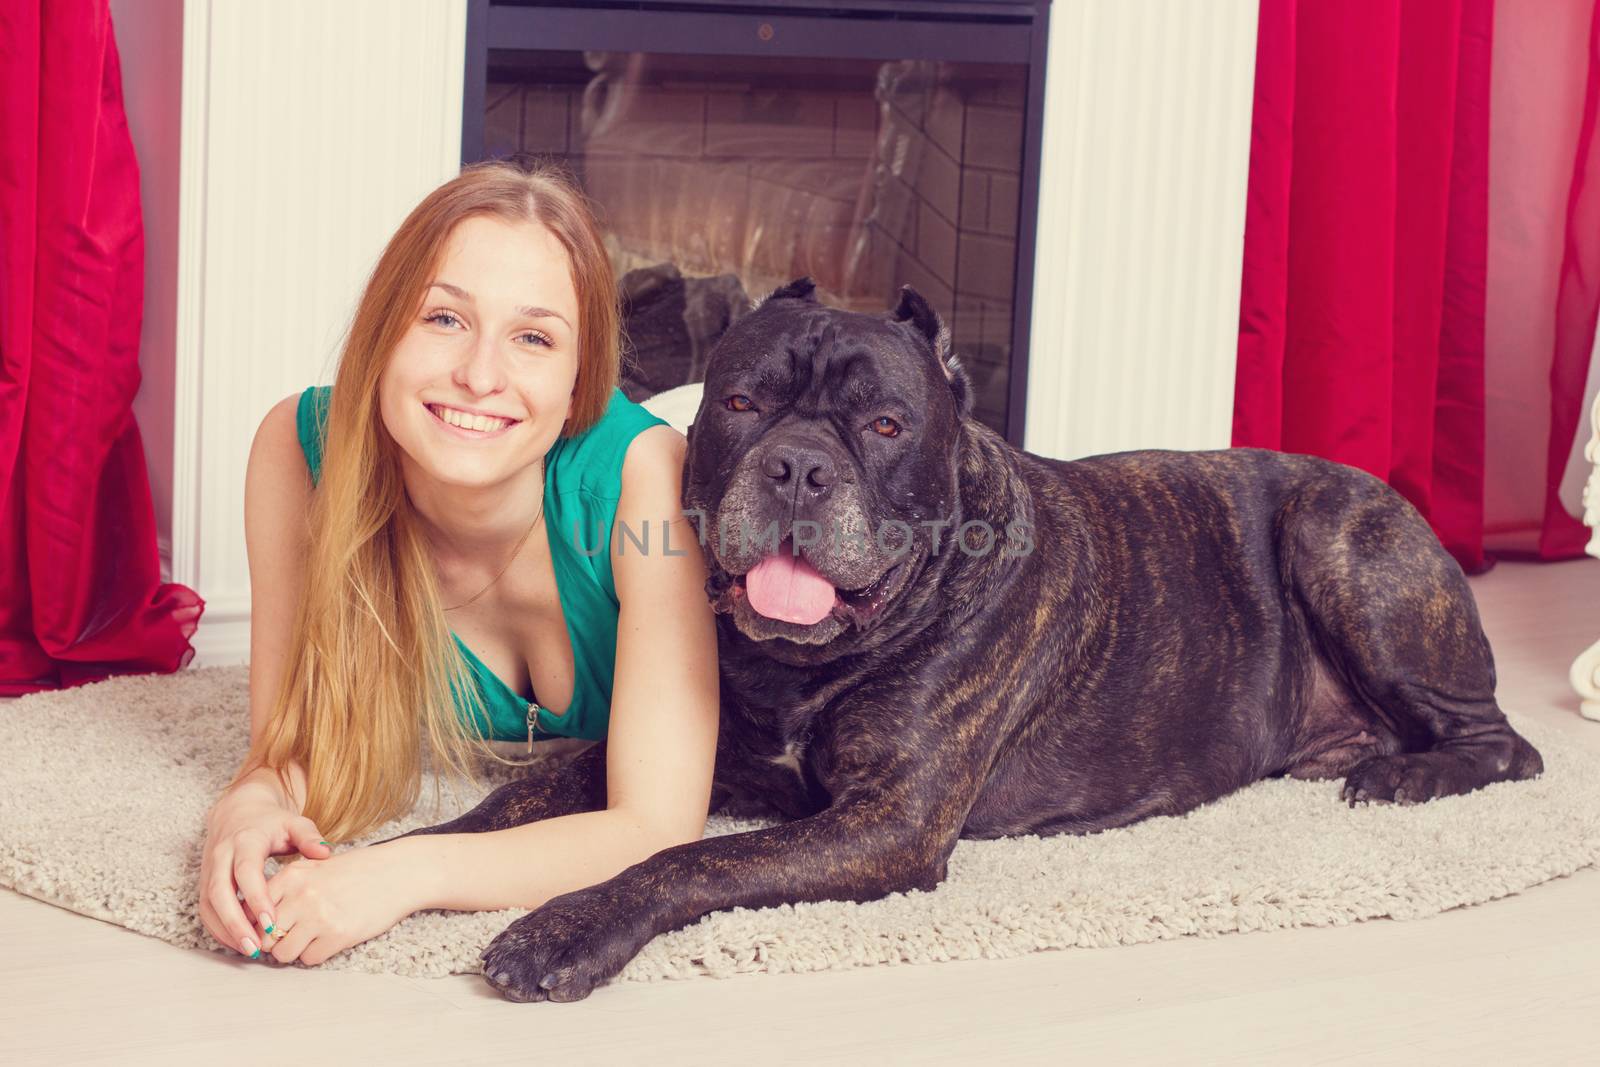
106, 789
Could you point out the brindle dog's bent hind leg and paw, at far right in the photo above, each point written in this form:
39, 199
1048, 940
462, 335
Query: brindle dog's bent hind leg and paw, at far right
1396, 617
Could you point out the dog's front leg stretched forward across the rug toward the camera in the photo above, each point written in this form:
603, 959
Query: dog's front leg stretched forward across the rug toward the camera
860, 850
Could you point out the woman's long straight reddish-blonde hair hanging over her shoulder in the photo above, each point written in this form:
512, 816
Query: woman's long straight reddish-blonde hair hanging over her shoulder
372, 663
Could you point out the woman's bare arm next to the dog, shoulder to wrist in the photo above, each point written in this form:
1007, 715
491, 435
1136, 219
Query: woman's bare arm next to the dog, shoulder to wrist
663, 733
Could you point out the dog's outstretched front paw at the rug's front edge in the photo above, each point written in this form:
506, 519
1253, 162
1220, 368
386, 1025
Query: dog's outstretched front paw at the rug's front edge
567, 948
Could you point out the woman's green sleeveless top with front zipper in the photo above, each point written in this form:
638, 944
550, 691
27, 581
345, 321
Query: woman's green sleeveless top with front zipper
583, 481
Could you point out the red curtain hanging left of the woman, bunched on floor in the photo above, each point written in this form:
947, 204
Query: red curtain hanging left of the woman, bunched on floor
81, 593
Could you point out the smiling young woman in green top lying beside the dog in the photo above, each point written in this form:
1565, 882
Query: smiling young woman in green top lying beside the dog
431, 556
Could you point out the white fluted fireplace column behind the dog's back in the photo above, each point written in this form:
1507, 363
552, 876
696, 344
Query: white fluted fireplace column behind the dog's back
1142, 226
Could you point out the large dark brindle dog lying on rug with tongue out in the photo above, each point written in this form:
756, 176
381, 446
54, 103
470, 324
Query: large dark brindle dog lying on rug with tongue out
959, 639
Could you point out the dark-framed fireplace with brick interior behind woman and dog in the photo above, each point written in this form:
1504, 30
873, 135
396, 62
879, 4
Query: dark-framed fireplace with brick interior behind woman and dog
737, 146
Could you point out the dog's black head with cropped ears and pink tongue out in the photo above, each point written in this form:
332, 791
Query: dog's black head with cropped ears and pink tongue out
823, 458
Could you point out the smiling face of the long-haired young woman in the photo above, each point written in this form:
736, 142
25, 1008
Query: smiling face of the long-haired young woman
497, 335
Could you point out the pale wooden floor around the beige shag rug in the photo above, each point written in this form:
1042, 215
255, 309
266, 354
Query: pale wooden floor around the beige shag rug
1511, 981
